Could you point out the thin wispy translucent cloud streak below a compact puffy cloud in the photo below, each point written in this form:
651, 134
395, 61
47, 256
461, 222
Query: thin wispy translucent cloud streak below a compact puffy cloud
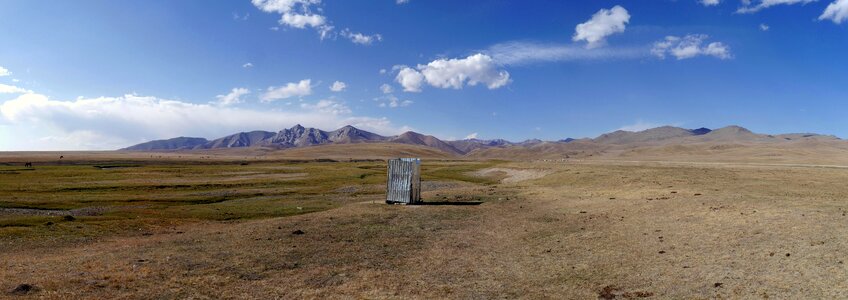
520, 52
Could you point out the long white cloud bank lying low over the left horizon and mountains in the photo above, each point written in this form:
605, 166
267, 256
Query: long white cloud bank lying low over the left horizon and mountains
34, 122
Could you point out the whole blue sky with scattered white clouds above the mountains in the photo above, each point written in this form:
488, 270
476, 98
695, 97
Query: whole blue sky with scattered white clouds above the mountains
101, 75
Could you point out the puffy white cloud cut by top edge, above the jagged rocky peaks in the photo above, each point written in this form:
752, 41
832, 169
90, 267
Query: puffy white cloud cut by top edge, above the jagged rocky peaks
297, 14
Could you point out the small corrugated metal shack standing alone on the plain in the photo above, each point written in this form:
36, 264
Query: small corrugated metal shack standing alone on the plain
404, 181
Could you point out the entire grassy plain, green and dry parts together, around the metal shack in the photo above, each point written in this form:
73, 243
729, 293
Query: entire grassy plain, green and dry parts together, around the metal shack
573, 229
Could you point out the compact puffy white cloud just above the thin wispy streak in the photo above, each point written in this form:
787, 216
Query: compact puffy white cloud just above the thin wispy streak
602, 24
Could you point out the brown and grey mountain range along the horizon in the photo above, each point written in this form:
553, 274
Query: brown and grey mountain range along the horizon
299, 136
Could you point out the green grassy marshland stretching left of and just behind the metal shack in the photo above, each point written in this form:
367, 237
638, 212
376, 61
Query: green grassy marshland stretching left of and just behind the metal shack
82, 201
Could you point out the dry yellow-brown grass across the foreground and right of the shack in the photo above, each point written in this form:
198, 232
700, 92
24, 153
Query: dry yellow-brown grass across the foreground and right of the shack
583, 230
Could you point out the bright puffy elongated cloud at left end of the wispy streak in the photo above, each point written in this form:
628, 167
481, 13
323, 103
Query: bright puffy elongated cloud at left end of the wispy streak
454, 73
